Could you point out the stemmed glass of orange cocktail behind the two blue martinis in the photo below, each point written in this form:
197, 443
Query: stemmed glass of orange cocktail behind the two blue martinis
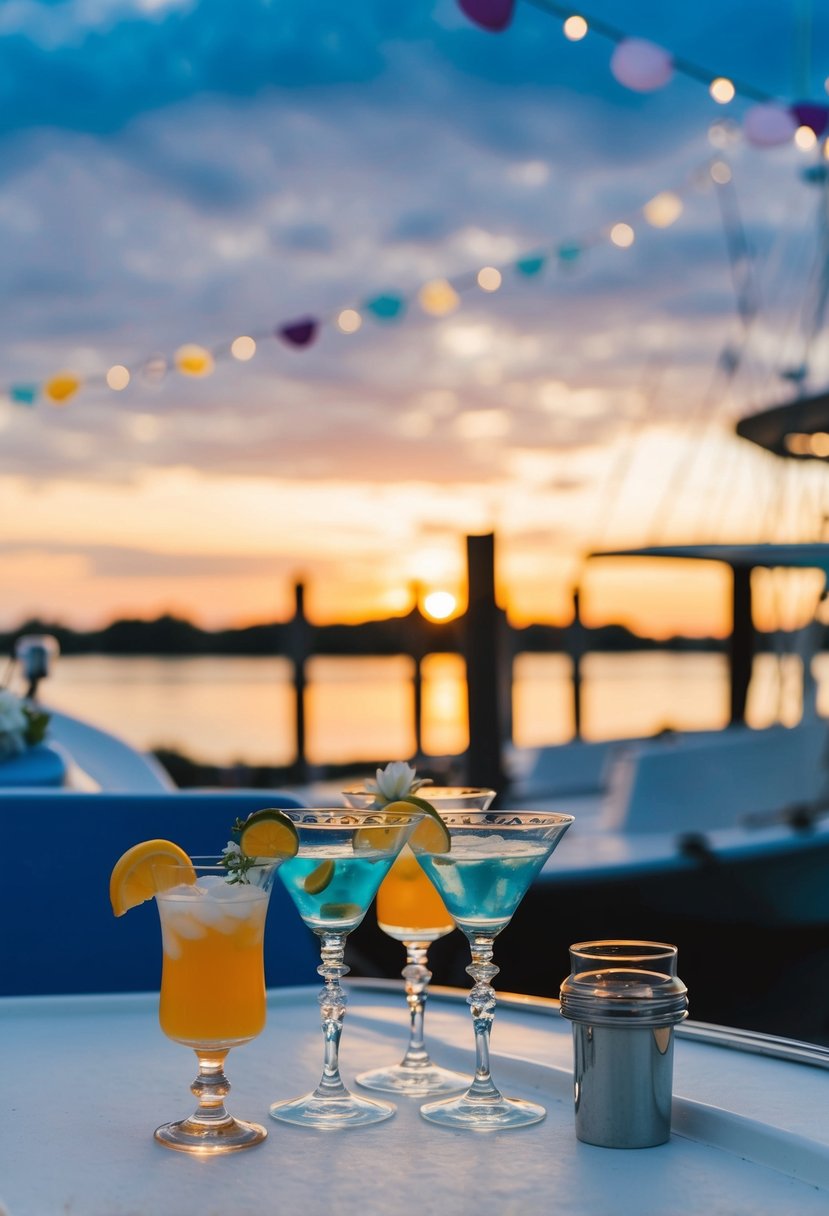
411, 911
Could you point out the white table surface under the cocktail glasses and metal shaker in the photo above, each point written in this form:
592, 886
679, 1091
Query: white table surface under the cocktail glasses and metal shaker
86, 1080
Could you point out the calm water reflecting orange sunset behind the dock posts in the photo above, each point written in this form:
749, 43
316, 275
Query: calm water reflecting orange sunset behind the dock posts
221, 711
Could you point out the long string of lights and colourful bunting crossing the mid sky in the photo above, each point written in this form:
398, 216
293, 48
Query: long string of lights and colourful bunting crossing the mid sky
437, 299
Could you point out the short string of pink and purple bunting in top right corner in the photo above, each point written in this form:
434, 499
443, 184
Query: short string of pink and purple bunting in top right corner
644, 66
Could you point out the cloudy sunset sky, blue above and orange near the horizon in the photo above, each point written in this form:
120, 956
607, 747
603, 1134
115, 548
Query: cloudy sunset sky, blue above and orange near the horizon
179, 172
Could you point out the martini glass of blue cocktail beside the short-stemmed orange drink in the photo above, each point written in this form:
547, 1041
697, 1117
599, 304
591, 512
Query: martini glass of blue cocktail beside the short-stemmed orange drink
343, 858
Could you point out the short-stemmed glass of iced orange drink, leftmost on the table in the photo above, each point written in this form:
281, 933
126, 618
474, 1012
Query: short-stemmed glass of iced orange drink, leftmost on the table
213, 988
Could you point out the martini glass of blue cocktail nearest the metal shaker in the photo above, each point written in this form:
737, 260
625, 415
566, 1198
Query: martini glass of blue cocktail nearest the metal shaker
493, 859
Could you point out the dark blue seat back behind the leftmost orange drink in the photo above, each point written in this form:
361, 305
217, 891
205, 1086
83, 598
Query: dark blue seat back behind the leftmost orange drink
59, 932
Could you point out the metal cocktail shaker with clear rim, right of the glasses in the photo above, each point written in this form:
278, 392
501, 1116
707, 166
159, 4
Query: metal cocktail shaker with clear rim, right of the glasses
624, 1000
